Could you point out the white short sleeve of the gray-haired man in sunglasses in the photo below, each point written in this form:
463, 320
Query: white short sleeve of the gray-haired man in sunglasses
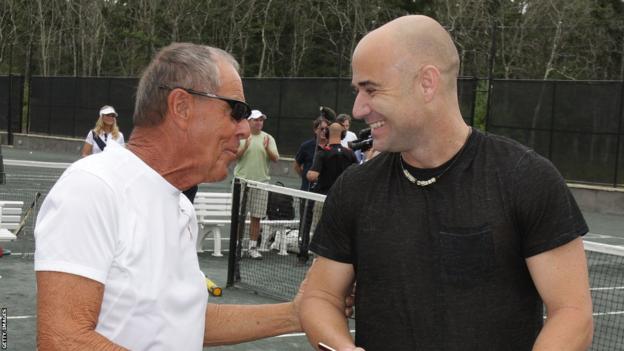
76, 228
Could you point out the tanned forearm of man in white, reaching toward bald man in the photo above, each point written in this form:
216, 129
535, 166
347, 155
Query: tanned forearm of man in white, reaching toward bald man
232, 324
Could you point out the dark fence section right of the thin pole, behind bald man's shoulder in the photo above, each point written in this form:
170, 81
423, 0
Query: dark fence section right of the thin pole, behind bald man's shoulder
577, 125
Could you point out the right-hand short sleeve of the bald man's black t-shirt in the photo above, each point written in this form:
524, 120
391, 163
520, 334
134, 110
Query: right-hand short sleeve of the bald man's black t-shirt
546, 212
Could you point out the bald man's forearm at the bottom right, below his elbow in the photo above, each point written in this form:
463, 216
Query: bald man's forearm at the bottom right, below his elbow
566, 329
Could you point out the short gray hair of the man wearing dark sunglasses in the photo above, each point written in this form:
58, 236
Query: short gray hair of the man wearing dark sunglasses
183, 65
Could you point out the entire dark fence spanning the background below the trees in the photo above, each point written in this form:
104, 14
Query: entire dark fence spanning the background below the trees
576, 124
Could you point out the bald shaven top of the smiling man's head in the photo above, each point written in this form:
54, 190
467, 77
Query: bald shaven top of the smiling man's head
414, 41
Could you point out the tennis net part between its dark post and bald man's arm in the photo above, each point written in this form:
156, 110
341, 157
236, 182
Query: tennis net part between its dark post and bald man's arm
291, 216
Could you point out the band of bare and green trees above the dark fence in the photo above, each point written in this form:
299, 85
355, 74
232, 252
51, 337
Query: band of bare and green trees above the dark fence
538, 39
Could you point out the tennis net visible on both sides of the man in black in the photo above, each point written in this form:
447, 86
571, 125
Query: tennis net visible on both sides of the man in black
285, 259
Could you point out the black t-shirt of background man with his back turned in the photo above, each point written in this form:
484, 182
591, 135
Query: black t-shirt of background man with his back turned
330, 162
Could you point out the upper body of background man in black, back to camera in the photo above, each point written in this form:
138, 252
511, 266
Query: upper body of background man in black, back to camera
331, 161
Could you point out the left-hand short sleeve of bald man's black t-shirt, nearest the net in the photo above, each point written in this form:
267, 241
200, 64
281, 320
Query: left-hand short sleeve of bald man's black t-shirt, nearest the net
332, 237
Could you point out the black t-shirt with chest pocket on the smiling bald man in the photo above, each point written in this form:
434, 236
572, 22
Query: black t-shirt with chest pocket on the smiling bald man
443, 267
